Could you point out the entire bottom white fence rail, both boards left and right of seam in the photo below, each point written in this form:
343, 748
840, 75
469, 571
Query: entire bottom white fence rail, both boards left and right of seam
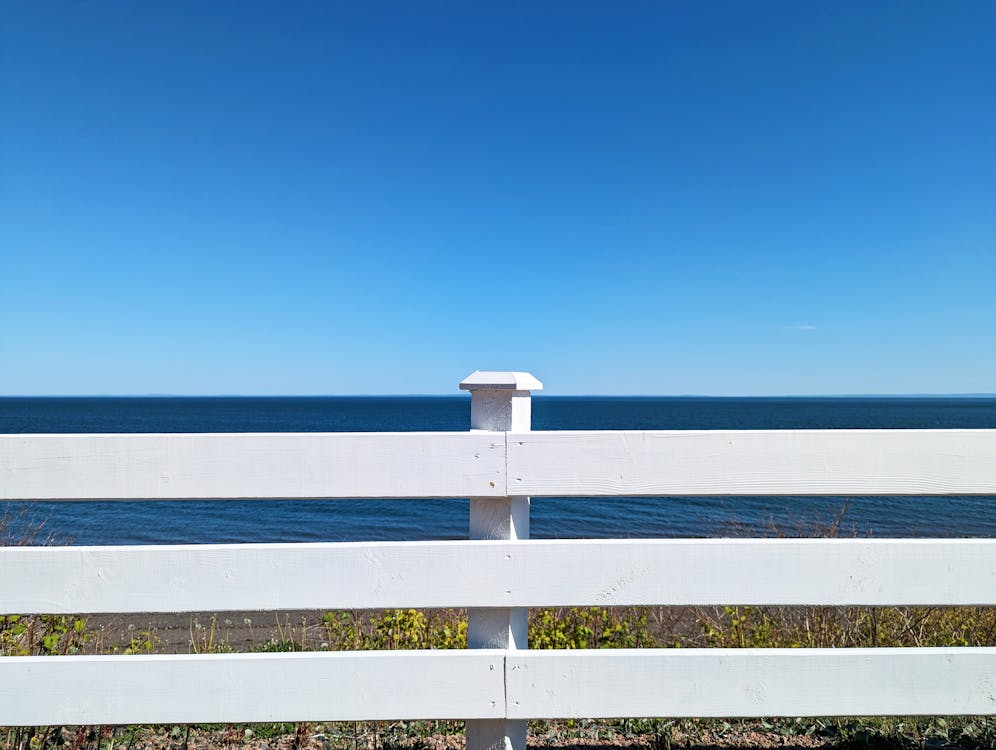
492, 684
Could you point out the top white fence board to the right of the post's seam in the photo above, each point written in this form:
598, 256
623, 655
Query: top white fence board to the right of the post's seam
752, 462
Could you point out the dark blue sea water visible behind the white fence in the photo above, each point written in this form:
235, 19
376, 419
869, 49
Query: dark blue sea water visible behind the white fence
356, 520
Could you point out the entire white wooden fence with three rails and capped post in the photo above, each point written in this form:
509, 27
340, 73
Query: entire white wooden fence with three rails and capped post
497, 683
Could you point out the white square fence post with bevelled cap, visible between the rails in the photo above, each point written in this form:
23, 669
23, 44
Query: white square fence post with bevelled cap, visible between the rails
499, 402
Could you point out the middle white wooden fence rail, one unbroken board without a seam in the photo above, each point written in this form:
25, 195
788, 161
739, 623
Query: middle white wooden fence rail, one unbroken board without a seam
489, 574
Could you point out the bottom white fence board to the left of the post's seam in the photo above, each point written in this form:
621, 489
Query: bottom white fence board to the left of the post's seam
251, 687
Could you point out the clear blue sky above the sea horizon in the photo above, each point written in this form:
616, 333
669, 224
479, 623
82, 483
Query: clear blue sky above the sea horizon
656, 198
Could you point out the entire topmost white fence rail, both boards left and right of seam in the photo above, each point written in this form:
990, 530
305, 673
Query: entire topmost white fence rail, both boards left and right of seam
480, 464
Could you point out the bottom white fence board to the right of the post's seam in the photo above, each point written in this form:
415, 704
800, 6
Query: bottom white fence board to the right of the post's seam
750, 682
